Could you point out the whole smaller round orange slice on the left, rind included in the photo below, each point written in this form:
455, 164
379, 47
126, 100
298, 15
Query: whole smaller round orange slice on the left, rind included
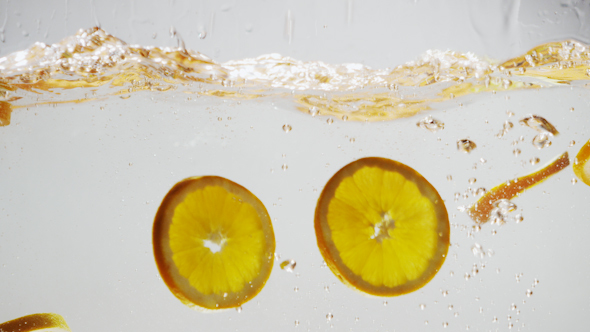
213, 243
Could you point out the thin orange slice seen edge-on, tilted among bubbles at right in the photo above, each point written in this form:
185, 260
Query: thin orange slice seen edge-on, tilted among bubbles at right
480, 212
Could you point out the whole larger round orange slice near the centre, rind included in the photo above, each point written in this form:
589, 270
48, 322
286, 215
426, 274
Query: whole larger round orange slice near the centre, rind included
381, 227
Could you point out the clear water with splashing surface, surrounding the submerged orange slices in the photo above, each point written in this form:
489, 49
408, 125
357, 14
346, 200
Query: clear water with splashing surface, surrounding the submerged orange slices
96, 131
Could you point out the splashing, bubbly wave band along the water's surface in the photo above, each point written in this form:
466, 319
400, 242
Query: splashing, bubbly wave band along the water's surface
92, 59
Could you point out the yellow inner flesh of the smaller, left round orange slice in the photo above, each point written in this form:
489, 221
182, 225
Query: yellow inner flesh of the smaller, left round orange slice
212, 216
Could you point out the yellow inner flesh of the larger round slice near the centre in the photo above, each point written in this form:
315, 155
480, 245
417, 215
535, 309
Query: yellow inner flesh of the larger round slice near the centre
384, 229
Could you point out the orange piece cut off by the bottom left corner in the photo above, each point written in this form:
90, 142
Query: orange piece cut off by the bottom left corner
37, 322
